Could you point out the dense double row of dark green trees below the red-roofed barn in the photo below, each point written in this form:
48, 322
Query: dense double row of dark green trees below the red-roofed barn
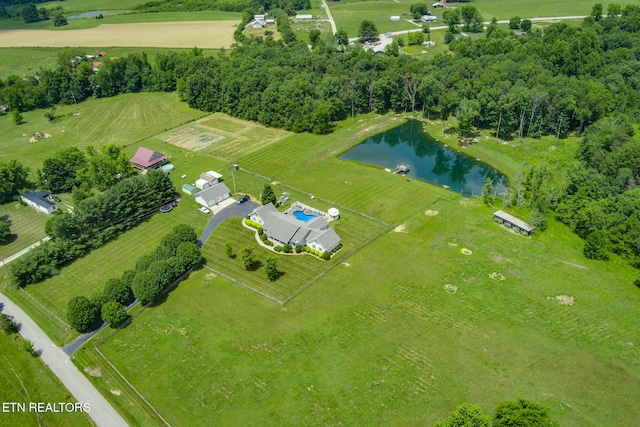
94, 221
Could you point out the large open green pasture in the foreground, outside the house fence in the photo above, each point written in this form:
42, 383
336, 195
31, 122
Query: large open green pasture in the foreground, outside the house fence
383, 338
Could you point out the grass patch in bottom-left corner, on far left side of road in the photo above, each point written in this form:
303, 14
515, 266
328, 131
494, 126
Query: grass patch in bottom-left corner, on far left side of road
25, 379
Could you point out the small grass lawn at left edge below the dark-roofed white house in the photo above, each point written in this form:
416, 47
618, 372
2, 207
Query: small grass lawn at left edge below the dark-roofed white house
26, 224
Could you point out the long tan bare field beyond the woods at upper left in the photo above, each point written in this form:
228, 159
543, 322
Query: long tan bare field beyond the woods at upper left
203, 34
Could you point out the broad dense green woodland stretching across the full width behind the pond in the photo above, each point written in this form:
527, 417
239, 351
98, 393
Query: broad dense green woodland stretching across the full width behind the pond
537, 84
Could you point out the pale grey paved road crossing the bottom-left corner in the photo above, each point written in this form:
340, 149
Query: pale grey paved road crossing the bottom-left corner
60, 364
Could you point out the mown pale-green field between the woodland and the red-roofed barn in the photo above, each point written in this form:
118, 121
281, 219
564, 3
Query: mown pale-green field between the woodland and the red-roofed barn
122, 120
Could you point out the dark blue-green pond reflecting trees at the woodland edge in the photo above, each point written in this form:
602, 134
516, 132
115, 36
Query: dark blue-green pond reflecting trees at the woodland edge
429, 160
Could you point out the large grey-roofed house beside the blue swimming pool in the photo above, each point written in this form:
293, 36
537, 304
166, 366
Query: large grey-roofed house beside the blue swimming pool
284, 229
